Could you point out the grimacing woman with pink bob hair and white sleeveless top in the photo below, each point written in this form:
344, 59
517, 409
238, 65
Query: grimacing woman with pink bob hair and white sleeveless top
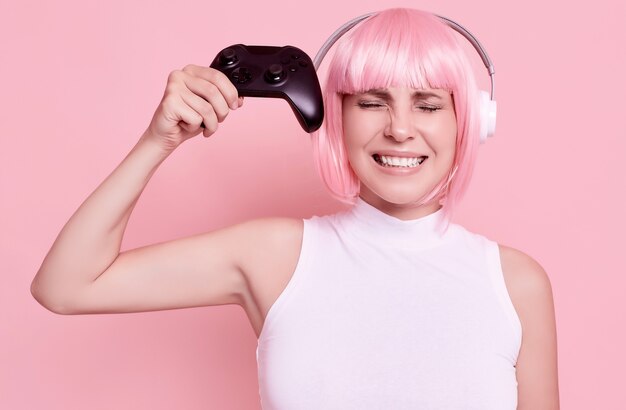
386, 305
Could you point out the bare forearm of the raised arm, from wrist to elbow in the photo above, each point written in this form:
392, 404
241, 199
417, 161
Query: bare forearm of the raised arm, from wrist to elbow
91, 239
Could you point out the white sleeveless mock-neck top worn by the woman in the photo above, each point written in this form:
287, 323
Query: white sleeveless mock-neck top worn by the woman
382, 313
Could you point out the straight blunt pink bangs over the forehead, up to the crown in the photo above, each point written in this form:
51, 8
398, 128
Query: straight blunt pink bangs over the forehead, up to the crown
396, 52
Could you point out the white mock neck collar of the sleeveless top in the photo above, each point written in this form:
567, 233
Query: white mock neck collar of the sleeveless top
371, 224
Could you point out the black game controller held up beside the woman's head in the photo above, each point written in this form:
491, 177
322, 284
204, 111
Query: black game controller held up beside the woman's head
276, 72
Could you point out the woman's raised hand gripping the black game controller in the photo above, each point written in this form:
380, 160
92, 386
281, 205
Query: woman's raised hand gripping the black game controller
193, 96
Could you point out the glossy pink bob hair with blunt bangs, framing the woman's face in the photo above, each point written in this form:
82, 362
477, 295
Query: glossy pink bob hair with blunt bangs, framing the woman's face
396, 48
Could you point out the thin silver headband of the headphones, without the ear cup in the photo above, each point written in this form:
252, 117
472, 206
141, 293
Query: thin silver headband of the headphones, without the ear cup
451, 23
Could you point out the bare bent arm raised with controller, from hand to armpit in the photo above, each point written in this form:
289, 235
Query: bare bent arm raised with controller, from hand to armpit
85, 272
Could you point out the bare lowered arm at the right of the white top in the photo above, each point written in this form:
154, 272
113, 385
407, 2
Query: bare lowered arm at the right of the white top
531, 293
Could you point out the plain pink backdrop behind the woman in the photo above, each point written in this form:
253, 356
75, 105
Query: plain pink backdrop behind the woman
81, 80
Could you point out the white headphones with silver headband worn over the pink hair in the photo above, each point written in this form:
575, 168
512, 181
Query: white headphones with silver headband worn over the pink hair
487, 102
